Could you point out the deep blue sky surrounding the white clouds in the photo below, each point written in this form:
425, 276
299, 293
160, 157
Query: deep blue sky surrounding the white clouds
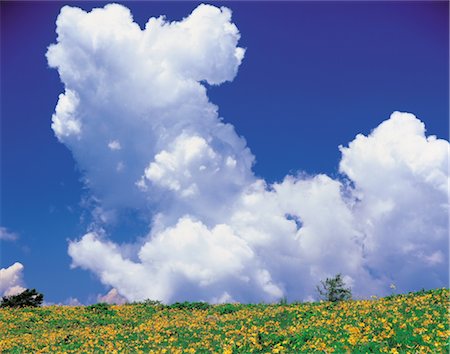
314, 76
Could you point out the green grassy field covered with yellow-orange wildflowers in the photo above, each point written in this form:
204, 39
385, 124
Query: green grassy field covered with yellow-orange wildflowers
417, 322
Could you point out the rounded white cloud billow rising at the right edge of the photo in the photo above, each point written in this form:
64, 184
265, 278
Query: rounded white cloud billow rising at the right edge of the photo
401, 179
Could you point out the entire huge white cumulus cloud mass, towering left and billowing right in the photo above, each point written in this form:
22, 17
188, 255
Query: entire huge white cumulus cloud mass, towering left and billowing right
136, 116
